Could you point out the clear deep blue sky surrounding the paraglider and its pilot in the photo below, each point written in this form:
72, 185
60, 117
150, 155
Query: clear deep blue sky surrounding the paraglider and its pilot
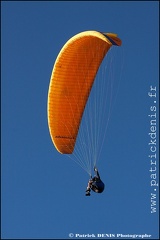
42, 190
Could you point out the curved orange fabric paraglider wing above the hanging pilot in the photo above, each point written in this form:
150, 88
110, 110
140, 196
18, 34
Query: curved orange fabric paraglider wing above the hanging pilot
72, 77
